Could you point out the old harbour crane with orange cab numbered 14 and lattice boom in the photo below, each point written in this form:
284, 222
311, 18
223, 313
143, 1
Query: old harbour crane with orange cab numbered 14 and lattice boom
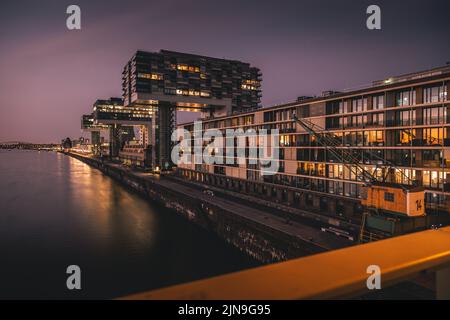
381, 200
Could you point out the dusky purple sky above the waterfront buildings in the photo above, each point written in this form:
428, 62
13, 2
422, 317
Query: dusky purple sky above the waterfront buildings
50, 76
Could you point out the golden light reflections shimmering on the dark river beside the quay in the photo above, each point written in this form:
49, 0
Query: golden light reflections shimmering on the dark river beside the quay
101, 198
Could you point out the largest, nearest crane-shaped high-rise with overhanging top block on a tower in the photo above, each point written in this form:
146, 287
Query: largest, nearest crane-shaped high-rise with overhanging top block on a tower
170, 81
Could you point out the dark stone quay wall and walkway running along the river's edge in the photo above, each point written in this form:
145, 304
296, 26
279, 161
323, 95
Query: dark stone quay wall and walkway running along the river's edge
259, 233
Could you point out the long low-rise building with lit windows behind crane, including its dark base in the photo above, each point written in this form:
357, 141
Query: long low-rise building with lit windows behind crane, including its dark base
397, 129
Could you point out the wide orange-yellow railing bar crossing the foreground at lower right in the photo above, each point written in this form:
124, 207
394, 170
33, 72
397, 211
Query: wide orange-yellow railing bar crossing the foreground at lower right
334, 274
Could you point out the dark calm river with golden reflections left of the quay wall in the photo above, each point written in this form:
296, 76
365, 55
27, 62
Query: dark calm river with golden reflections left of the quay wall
56, 211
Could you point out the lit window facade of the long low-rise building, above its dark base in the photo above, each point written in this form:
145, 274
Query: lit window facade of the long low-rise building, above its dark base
408, 128
